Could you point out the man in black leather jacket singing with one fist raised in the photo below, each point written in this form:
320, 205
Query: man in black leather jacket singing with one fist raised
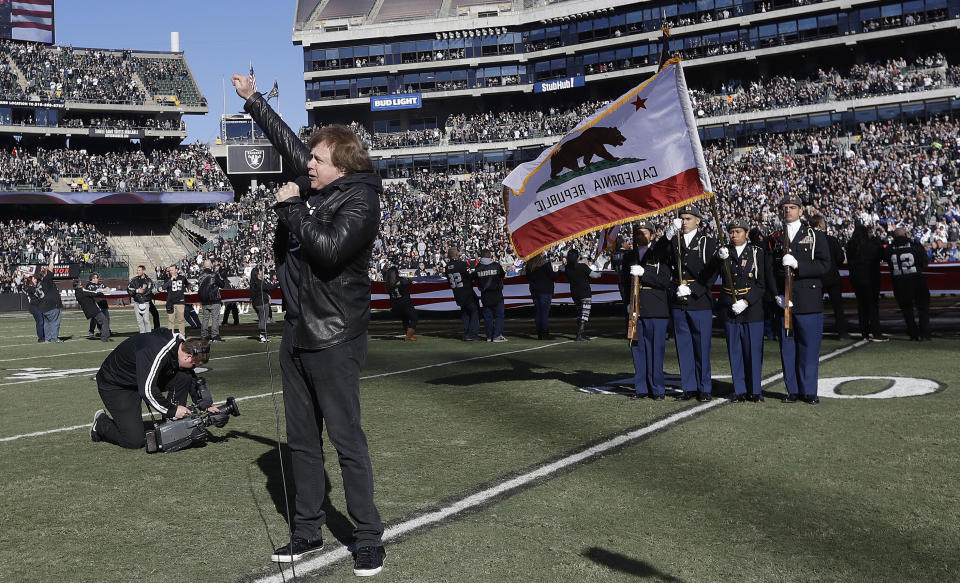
323, 244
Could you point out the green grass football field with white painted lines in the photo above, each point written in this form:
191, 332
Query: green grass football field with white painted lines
519, 461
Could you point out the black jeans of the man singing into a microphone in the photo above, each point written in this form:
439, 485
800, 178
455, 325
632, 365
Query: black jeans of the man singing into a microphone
323, 386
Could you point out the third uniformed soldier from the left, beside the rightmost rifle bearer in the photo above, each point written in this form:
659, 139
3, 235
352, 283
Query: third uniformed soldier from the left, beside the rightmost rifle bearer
741, 297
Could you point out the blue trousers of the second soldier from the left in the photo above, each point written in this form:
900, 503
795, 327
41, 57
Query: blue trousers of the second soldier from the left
693, 329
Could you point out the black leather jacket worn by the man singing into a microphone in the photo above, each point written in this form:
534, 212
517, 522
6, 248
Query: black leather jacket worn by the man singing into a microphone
336, 227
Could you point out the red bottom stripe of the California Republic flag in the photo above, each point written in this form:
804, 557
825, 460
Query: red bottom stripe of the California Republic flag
606, 208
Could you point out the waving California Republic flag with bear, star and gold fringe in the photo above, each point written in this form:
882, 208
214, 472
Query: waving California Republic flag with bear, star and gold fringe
637, 157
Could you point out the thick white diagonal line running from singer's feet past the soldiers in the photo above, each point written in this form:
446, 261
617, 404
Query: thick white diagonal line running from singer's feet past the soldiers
485, 496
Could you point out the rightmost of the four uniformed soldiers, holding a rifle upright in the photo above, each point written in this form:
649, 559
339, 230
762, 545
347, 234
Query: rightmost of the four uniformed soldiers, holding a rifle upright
809, 259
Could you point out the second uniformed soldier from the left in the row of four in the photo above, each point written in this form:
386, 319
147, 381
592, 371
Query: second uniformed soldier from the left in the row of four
692, 259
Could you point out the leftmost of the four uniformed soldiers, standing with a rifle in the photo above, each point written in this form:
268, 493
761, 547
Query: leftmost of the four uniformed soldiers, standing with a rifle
649, 263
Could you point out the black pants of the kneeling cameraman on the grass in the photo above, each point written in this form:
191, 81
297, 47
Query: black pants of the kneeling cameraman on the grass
125, 426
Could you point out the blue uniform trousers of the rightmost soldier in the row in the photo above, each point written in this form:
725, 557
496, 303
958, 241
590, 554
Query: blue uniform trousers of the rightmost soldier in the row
800, 353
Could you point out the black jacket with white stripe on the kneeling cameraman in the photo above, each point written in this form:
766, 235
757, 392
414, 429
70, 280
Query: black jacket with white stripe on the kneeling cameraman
147, 363
